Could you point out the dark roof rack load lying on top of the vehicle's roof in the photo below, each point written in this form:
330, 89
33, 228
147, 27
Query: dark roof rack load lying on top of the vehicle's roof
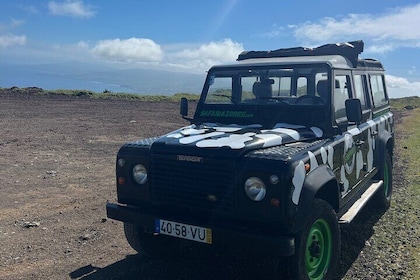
350, 50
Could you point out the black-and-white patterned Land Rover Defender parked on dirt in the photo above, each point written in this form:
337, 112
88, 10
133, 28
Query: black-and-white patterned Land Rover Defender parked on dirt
284, 146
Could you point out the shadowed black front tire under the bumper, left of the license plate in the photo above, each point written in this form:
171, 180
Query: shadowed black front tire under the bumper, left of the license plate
149, 245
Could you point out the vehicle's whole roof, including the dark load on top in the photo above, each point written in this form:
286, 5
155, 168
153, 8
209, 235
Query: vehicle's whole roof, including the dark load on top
340, 55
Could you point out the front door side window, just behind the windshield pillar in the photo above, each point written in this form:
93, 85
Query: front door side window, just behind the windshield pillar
340, 95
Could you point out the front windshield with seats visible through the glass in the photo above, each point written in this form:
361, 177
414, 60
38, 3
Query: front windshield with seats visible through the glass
300, 86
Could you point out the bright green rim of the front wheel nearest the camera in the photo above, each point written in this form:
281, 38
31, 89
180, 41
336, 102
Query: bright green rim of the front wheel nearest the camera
318, 249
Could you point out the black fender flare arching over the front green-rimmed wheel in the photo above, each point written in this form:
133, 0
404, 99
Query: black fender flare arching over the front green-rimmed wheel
321, 183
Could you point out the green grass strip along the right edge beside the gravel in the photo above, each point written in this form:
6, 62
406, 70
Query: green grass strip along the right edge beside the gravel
410, 153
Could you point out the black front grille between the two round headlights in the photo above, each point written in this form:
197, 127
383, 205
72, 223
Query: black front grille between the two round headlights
204, 185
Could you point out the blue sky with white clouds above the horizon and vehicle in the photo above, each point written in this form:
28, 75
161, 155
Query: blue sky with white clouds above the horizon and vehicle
193, 35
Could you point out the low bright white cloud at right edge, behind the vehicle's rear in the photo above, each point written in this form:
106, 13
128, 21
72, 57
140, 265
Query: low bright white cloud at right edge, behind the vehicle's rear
401, 87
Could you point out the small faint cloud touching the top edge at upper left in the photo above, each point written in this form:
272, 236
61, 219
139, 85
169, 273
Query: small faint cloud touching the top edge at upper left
73, 8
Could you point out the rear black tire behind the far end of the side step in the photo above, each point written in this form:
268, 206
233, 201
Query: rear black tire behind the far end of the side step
382, 198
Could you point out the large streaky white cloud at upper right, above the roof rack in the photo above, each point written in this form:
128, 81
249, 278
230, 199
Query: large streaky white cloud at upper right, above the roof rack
400, 25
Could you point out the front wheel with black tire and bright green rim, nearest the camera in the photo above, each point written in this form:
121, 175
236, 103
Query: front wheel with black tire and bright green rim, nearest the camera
318, 245
